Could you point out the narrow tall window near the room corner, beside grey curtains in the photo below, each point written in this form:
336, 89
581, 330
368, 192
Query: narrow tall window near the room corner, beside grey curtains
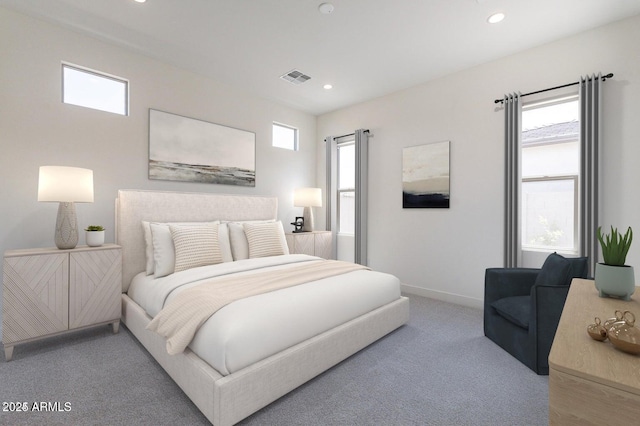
346, 188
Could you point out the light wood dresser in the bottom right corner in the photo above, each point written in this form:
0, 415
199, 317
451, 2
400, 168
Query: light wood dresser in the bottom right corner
591, 382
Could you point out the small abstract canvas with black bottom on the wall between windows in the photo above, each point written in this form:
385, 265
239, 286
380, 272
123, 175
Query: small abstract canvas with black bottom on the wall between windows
425, 176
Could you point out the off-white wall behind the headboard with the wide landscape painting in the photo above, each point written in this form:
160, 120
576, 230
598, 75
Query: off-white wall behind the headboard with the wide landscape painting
37, 129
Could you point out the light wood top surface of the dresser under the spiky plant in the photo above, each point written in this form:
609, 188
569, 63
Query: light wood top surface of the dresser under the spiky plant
574, 352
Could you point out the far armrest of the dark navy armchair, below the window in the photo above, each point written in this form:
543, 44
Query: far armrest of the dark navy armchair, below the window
506, 282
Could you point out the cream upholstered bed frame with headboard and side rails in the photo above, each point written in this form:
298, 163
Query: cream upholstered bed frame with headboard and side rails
225, 400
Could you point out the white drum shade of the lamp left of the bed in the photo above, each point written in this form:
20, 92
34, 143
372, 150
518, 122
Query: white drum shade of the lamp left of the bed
65, 184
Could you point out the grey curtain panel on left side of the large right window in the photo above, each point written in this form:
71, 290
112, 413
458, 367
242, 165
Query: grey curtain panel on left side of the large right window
512, 136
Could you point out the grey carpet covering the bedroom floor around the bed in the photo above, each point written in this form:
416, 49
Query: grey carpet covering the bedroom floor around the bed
438, 369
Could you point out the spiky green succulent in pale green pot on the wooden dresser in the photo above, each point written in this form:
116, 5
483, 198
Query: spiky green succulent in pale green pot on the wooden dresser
613, 277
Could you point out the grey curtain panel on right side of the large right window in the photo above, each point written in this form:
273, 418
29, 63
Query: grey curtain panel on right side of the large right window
590, 93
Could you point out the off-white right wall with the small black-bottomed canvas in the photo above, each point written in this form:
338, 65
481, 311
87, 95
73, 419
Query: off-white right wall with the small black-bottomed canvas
444, 253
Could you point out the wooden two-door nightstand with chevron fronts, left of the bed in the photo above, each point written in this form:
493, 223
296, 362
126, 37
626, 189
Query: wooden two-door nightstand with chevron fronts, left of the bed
51, 291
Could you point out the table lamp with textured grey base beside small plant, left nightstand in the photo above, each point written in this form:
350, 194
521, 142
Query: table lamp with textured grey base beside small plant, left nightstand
65, 185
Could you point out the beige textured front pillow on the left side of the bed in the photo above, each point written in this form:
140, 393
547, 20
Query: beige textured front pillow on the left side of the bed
195, 245
